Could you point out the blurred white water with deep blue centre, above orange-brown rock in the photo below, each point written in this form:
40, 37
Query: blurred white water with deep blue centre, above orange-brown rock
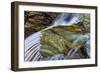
67, 19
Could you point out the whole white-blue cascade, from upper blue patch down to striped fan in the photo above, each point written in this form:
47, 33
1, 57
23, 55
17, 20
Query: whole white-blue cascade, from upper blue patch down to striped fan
32, 43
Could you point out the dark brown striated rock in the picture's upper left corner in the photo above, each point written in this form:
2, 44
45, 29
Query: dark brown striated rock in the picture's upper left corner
36, 21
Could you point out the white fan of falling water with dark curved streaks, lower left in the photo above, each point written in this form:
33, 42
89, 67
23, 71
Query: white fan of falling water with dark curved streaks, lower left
32, 46
